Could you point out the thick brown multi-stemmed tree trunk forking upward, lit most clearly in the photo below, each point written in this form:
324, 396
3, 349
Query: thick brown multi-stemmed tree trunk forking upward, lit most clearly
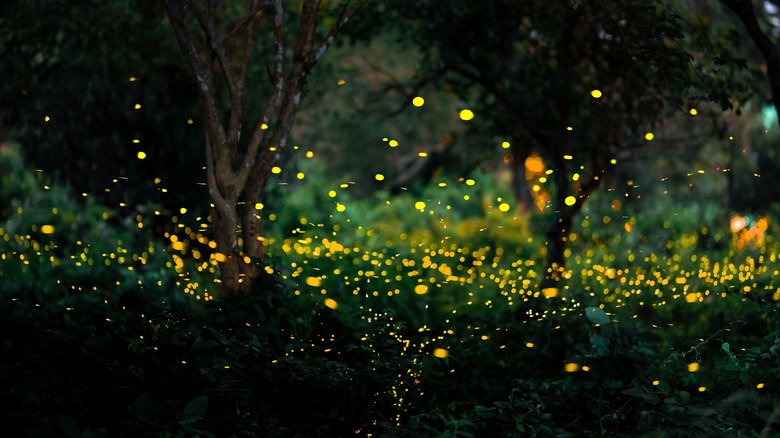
236, 171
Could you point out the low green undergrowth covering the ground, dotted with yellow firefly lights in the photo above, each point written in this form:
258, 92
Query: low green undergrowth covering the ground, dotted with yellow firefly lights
409, 315
